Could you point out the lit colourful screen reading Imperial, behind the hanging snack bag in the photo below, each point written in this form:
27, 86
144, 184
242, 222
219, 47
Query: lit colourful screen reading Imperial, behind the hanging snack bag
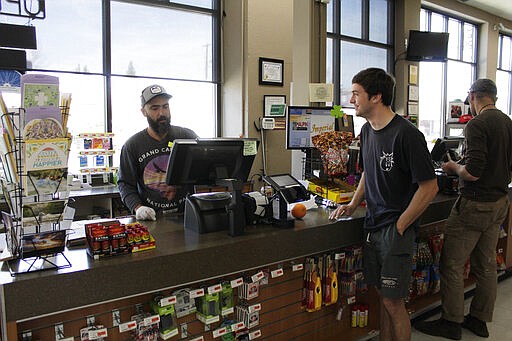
302, 123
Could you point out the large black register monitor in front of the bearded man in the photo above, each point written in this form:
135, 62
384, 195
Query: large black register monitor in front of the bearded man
205, 161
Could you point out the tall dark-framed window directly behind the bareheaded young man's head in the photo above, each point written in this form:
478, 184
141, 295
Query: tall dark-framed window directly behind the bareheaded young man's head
359, 35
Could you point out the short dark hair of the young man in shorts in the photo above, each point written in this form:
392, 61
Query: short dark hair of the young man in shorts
376, 81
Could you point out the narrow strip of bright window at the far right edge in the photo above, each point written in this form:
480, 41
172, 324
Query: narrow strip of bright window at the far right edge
504, 74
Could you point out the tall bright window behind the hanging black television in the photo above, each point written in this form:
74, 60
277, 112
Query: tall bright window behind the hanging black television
444, 82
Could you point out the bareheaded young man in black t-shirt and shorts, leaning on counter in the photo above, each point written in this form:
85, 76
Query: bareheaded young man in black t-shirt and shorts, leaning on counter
398, 183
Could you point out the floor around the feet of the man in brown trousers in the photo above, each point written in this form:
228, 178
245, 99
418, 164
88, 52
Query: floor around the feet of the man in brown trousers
500, 329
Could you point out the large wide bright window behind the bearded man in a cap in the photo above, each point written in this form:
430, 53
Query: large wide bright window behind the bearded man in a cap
105, 63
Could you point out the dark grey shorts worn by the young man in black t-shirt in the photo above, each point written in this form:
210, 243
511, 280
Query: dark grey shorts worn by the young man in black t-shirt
388, 260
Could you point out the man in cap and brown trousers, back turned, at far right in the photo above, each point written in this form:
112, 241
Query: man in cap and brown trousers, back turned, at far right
472, 229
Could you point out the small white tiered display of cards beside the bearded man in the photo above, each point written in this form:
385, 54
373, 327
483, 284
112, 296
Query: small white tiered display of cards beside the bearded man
96, 158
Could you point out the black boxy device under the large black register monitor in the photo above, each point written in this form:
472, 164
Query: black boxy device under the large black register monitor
206, 212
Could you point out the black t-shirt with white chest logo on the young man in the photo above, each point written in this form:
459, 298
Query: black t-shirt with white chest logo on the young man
394, 159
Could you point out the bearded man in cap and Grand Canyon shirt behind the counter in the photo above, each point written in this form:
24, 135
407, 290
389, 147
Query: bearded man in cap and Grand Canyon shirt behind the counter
144, 158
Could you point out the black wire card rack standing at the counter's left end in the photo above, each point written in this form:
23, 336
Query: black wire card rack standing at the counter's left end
35, 233
